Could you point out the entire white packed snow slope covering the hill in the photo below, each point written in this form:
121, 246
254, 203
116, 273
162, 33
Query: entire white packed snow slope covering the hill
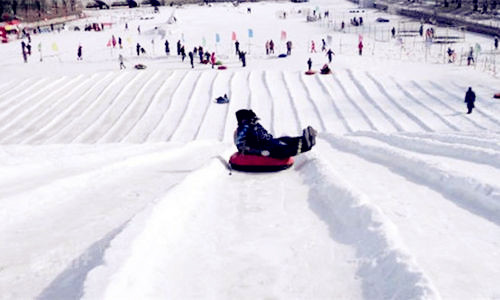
114, 185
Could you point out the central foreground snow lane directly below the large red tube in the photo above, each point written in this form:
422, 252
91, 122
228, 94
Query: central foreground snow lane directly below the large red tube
242, 221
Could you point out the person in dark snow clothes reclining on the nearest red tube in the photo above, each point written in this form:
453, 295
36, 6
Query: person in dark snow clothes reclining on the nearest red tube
252, 138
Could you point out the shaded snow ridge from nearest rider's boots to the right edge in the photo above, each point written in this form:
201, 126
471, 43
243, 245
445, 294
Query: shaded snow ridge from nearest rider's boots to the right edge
467, 192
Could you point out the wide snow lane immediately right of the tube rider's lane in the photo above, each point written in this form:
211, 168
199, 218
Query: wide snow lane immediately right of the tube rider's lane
433, 220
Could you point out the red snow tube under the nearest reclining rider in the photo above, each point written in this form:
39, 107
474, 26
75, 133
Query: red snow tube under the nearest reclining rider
256, 163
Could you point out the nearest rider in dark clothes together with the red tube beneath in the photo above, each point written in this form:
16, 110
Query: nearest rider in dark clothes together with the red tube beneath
259, 151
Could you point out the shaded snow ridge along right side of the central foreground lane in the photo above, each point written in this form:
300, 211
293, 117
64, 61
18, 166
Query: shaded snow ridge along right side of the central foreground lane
386, 270
